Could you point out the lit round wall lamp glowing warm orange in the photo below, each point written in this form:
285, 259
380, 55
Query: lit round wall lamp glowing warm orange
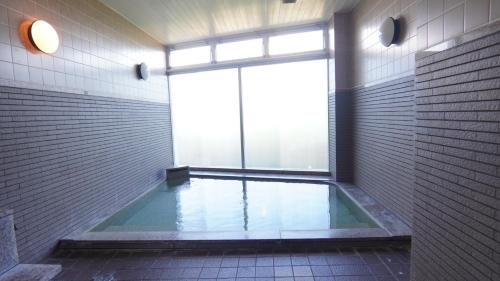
43, 36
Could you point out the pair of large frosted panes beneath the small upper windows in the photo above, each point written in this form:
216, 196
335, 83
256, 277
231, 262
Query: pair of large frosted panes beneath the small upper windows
284, 110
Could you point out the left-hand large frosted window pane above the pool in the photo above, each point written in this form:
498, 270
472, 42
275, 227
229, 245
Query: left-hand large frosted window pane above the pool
206, 120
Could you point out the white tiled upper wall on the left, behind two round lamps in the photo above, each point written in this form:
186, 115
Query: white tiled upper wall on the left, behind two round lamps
97, 53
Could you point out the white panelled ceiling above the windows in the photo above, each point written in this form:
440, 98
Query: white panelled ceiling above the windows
175, 21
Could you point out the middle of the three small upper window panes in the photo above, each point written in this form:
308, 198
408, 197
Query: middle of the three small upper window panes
239, 50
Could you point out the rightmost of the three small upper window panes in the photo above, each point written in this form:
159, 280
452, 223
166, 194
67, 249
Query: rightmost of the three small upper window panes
296, 42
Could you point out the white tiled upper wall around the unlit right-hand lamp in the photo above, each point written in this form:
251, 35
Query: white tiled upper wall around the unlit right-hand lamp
426, 23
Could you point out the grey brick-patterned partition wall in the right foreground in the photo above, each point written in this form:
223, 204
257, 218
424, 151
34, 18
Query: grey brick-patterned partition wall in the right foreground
457, 197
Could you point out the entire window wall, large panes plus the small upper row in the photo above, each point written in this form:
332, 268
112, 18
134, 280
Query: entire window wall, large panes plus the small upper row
267, 110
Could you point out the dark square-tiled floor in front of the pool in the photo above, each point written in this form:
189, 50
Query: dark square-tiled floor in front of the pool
337, 264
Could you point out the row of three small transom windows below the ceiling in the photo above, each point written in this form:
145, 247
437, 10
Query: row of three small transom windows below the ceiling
264, 45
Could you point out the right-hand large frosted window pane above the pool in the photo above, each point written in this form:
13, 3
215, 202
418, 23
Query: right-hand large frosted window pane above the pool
286, 116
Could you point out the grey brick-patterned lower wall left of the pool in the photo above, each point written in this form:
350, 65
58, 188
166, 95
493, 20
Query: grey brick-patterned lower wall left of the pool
67, 159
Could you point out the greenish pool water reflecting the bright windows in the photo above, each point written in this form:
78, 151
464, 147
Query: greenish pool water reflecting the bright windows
203, 204
